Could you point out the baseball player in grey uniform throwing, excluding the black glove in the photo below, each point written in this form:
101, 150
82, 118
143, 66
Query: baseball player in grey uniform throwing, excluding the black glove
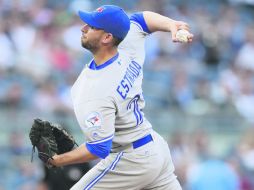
108, 103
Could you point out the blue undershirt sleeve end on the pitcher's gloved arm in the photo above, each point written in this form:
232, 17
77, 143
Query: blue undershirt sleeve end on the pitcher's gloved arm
100, 148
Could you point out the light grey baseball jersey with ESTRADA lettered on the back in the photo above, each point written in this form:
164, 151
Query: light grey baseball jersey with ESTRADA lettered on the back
108, 100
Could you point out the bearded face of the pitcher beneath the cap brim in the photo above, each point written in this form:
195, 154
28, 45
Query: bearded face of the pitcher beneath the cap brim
91, 38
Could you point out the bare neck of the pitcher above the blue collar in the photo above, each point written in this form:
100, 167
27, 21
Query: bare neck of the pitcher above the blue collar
104, 55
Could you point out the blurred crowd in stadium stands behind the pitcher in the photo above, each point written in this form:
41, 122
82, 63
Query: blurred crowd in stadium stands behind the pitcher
200, 97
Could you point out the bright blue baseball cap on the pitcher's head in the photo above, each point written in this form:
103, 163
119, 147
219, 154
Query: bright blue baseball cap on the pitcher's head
110, 18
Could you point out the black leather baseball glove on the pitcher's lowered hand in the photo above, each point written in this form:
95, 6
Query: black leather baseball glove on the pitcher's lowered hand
49, 139
